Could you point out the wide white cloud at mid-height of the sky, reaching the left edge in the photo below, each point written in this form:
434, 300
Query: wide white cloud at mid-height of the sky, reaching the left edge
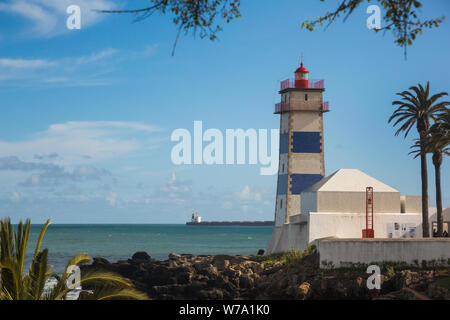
82, 142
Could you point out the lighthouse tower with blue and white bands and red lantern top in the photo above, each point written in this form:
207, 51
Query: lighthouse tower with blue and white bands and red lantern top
301, 159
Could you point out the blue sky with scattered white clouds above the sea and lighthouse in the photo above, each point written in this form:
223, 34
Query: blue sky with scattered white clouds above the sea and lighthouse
87, 115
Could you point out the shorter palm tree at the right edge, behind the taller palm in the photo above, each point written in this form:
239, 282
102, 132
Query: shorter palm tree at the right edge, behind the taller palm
438, 143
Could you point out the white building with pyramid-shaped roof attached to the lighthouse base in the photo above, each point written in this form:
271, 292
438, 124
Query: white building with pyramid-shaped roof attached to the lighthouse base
336, 207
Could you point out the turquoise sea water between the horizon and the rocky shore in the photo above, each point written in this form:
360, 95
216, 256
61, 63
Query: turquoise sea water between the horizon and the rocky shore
115, 242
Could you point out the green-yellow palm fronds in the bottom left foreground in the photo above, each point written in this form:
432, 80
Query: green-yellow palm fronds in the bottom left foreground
15, 285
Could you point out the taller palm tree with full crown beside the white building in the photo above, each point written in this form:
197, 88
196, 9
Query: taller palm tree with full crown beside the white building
418, 108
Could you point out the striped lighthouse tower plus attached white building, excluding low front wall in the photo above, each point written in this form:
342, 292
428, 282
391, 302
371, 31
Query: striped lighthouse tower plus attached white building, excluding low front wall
310, 206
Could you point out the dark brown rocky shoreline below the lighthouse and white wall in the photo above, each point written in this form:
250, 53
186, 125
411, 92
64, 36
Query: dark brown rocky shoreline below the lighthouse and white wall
227, 277
